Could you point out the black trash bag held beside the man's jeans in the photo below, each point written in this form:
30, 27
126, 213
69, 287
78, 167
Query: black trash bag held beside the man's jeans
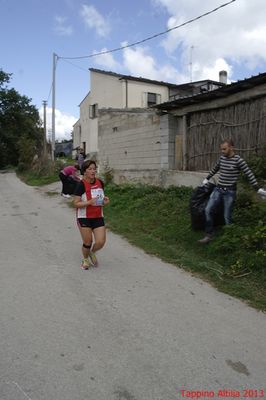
198, 202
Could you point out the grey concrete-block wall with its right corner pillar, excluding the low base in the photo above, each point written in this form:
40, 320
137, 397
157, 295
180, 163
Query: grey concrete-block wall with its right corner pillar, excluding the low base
137, 139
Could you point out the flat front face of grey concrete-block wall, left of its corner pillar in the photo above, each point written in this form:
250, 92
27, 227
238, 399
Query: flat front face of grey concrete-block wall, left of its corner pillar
129, 139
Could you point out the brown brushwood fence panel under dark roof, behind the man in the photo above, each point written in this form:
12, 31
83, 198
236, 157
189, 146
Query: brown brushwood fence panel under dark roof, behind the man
244, 123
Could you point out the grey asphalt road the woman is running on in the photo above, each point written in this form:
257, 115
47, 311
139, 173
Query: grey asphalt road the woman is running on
136, 328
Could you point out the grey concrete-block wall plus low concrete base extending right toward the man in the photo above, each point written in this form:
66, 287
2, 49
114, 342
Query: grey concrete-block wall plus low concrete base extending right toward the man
139, 146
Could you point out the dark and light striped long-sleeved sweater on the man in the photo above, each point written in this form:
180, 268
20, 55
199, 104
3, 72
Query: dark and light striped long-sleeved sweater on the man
229, 169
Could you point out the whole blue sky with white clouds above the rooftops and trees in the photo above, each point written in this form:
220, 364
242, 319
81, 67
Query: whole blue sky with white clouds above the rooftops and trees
233, 38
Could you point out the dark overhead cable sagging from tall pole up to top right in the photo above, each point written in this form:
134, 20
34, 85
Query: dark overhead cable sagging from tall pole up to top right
150, 37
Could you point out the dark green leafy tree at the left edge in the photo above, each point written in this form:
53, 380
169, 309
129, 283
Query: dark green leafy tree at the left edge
19, 123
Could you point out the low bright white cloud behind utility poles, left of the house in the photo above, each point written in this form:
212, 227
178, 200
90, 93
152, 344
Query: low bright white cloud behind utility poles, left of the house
63, 124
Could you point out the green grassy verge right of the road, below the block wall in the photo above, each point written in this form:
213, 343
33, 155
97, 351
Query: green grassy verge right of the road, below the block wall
158, 221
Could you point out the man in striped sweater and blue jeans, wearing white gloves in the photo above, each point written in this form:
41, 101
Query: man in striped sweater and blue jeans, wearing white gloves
229, 166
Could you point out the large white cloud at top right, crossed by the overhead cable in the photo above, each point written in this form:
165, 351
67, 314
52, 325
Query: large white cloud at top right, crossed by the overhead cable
235, 34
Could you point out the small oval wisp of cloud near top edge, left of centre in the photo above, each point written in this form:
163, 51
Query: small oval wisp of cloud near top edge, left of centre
94, 20
